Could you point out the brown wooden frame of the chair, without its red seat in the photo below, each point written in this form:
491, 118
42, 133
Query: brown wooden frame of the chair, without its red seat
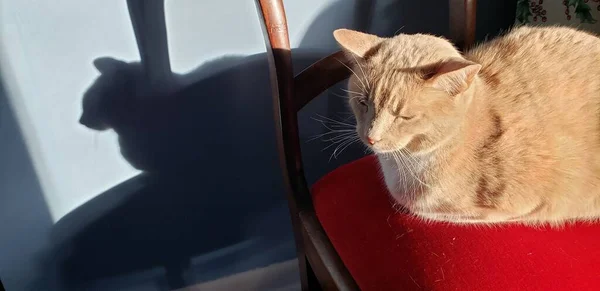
320, 265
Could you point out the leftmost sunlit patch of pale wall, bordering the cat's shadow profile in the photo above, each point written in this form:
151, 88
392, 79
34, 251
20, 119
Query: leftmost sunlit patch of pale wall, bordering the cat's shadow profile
47, 48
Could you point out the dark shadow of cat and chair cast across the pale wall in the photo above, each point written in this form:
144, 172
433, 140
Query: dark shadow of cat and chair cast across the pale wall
213, 177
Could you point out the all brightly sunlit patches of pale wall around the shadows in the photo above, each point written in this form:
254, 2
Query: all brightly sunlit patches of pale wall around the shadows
46, 53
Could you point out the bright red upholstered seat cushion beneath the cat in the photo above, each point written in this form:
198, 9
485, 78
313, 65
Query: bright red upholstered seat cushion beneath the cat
387, 250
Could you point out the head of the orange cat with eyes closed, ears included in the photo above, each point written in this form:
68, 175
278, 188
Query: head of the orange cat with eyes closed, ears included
407, 92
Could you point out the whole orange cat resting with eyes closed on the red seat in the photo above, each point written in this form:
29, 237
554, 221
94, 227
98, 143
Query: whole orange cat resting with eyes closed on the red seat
508, 131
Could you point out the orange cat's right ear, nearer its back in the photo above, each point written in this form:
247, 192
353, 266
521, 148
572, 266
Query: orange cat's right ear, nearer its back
454, 75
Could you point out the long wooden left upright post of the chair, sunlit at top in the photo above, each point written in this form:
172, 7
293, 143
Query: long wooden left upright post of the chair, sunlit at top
274, 26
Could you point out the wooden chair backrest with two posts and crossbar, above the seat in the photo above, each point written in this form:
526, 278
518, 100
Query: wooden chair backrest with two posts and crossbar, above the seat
291, 93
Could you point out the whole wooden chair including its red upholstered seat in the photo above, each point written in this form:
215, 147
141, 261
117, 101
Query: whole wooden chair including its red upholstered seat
348, 235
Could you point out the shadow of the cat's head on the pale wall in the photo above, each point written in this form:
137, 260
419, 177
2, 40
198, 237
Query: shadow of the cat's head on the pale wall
110, 97
